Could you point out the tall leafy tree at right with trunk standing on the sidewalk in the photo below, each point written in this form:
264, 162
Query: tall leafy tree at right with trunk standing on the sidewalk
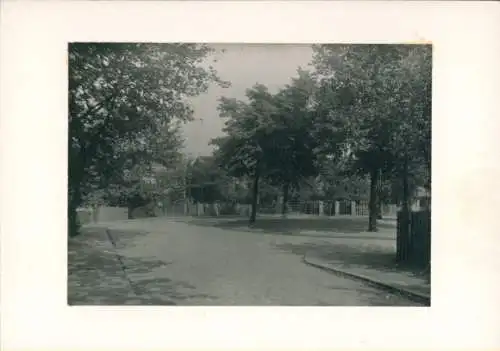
364, 94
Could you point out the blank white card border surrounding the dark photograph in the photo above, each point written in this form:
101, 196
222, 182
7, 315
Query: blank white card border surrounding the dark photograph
34, 39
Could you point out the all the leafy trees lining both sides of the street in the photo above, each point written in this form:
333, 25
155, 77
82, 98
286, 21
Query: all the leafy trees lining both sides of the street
359, 122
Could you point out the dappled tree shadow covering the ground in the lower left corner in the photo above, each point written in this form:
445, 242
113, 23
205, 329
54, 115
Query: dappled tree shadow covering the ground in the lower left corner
97, 275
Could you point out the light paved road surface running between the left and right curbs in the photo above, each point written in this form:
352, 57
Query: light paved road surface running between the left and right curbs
201, 265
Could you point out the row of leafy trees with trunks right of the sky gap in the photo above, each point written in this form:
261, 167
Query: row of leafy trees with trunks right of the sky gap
364, 112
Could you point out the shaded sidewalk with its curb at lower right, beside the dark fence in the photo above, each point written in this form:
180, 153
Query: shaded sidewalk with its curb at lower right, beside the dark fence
373, 267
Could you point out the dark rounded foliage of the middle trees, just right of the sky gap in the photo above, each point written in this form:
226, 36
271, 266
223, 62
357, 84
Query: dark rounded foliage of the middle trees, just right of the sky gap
270, 135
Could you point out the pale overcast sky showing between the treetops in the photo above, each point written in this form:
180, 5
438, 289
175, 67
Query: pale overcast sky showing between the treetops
243, 65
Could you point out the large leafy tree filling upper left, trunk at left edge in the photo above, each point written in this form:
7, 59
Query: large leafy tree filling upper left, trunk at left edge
121, 97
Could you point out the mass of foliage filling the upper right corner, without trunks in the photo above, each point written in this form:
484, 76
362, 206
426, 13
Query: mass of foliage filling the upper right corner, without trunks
382, 100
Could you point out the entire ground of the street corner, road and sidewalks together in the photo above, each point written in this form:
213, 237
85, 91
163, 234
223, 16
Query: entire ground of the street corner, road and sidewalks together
210, 261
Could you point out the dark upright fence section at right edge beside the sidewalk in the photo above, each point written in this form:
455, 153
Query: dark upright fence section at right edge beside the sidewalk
414, 239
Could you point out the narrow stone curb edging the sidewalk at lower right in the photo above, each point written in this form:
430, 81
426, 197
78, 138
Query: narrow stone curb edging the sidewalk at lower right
411, 295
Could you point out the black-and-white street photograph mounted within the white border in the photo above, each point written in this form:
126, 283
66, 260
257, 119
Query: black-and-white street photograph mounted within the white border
249, 174
